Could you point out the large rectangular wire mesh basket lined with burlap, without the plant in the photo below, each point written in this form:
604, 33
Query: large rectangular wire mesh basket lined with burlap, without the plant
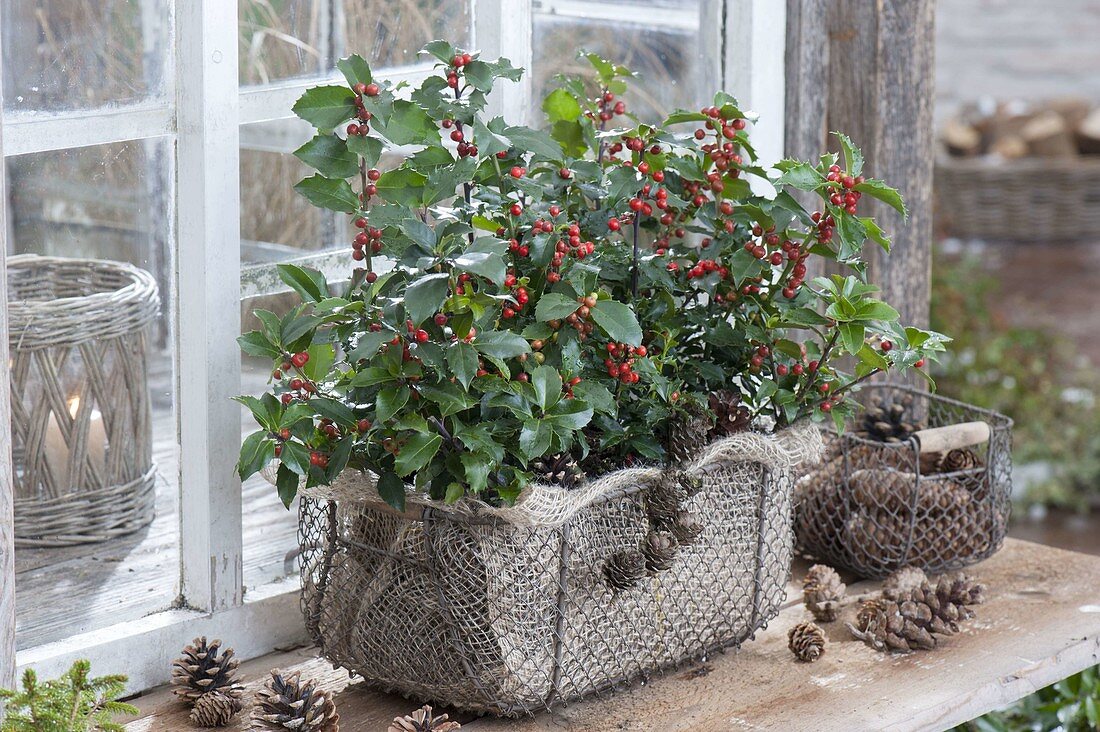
512, 617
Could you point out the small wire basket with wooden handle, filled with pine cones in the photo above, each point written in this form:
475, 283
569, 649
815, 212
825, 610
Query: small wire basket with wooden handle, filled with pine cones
937, 496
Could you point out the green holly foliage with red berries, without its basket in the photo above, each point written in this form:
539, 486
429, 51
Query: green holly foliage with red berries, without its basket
519, 293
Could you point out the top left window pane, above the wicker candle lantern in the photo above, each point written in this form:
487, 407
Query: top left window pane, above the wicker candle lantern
79, 54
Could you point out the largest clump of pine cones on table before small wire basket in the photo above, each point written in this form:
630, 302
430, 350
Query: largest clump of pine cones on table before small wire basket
911, 620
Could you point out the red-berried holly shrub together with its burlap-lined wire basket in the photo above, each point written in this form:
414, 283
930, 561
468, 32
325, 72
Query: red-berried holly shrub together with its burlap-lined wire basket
546, 431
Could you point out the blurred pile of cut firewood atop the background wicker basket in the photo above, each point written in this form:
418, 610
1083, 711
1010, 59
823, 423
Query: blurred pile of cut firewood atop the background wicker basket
1061, 128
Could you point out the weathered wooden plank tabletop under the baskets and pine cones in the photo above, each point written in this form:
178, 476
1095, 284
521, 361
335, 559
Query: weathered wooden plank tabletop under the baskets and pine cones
1041, 622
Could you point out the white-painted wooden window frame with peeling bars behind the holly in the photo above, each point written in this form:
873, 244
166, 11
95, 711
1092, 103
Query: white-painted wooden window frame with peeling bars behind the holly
746, 40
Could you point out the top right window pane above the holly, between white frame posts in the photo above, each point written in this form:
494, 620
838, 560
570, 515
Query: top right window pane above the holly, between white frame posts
669, 59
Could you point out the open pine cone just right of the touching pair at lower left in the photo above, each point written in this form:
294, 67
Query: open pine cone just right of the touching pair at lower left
287, 704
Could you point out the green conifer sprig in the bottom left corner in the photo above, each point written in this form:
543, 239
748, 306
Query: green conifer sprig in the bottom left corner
74, 703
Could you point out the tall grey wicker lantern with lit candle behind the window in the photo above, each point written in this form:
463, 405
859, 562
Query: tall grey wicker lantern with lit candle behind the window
82, 441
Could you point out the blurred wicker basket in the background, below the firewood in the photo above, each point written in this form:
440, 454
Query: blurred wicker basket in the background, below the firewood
1029, 200
